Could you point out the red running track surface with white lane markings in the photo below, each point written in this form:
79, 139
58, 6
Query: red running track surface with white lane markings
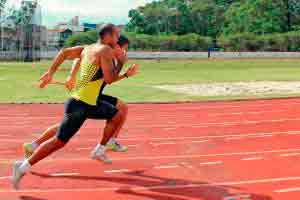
246, 150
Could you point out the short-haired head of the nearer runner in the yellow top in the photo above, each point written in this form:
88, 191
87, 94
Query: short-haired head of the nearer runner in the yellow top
109, 34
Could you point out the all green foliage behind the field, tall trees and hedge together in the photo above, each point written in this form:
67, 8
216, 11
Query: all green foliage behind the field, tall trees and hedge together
195, 25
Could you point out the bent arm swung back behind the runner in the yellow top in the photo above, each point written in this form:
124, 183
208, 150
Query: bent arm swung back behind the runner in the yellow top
68, 53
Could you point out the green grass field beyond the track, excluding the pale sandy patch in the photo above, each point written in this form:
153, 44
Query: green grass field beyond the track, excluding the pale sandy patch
18, 80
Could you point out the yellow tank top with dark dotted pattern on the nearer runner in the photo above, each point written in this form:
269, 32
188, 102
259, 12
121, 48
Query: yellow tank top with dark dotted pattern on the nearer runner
87, 90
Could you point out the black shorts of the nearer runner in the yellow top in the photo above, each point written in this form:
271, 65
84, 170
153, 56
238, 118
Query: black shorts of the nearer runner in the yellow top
76, 112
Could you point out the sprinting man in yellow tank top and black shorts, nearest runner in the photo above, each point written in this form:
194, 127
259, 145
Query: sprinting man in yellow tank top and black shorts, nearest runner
95, 59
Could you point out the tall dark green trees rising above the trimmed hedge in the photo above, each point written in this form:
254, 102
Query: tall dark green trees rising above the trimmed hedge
215, 17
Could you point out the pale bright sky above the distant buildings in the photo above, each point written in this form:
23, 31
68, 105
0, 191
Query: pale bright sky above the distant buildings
94, 11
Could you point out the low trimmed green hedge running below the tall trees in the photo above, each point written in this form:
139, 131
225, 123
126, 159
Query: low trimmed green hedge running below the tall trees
193, 42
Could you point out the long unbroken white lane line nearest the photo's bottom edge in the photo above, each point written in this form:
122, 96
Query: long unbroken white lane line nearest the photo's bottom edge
225, 183
